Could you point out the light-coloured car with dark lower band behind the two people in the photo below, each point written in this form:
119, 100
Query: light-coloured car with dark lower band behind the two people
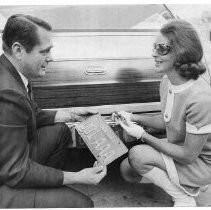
102, 58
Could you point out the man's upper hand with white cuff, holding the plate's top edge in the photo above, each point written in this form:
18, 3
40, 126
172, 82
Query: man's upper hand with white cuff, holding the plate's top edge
73, 115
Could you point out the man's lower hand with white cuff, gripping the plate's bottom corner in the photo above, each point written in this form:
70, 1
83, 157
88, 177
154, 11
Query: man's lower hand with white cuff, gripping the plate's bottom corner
91, 176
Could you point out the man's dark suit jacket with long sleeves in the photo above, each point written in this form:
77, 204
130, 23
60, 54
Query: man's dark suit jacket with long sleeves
19, 120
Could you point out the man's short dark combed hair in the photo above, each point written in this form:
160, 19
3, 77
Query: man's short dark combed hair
23, 29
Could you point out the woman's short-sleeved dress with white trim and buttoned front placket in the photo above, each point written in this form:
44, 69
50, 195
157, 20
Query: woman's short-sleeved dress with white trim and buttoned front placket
187, 109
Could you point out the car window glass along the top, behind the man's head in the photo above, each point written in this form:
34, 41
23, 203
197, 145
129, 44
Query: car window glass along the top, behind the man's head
94, 17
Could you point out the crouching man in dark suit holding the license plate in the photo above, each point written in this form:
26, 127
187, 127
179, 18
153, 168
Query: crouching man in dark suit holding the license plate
33, 141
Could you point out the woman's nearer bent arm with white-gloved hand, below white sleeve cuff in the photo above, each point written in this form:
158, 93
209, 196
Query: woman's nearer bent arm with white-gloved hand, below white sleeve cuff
185, 153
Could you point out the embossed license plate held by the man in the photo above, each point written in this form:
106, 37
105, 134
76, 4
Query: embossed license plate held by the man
104, 144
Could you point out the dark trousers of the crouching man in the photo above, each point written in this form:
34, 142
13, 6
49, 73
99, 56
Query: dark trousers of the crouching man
49, 150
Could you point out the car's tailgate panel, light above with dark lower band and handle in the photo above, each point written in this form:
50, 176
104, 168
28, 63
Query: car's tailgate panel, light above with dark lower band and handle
106, 69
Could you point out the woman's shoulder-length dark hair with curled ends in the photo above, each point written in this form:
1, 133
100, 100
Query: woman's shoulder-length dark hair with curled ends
187, 47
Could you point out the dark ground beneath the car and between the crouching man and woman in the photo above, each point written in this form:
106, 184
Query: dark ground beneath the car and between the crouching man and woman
113, 191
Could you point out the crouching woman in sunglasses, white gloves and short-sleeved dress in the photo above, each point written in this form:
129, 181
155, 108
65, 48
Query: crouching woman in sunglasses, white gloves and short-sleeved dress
180, 164
